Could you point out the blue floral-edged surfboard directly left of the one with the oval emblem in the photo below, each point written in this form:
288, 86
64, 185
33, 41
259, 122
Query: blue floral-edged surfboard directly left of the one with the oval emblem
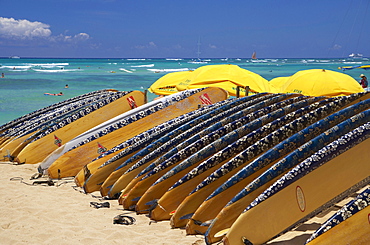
252, 190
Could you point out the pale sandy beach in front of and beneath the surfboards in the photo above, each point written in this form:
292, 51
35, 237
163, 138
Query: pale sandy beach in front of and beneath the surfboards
61, 214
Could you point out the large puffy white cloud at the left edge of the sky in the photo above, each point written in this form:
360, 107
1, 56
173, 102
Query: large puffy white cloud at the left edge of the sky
23, 29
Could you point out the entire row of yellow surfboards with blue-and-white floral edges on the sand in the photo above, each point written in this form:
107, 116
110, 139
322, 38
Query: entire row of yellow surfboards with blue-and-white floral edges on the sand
242, 170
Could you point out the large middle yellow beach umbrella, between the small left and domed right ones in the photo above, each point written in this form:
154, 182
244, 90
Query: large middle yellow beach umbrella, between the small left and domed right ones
227, 77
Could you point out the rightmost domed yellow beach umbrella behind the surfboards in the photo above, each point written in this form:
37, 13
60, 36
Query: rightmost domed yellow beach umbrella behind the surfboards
320, 82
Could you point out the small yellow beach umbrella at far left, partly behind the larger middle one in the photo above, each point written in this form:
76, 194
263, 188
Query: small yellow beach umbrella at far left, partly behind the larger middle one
166, 85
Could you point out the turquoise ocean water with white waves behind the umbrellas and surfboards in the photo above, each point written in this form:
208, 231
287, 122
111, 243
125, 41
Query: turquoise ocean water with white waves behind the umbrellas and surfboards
26, 80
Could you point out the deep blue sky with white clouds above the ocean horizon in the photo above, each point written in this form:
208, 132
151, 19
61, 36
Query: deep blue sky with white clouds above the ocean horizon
171, 28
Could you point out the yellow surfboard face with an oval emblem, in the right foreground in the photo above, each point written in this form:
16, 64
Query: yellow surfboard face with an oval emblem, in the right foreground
304, 196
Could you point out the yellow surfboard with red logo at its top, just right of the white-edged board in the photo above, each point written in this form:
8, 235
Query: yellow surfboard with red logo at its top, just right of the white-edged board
70, 163
